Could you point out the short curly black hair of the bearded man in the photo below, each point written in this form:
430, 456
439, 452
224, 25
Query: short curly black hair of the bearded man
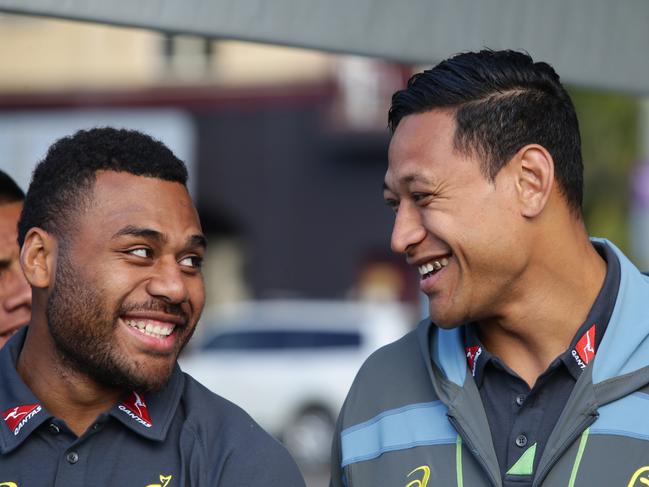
62, 182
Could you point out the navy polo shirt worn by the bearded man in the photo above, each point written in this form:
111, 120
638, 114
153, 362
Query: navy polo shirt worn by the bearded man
183, 436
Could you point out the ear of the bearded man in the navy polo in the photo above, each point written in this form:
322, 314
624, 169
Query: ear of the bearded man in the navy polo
38, 257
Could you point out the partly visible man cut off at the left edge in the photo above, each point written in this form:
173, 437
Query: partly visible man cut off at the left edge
15, 293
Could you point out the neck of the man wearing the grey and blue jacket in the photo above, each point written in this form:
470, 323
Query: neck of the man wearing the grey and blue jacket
559, 292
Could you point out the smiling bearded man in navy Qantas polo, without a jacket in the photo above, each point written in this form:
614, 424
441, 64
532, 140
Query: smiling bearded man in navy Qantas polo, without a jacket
90, 391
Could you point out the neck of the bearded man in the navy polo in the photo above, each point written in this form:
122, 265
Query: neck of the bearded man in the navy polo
67, 394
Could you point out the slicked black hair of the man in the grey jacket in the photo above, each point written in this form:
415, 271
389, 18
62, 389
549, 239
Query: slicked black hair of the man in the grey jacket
502, 101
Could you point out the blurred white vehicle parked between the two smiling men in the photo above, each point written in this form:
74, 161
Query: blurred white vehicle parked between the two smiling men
290, 364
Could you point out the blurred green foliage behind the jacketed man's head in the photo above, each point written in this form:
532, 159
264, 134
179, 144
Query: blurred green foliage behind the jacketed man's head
609, 131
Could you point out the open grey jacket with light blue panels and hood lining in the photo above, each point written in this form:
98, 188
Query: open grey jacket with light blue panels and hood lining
414, 417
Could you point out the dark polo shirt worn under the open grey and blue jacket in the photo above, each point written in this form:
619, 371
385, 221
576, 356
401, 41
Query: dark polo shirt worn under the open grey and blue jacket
521, 419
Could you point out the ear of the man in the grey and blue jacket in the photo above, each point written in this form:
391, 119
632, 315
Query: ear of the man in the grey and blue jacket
534, 179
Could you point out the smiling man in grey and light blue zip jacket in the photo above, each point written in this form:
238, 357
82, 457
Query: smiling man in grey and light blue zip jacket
533, 367
